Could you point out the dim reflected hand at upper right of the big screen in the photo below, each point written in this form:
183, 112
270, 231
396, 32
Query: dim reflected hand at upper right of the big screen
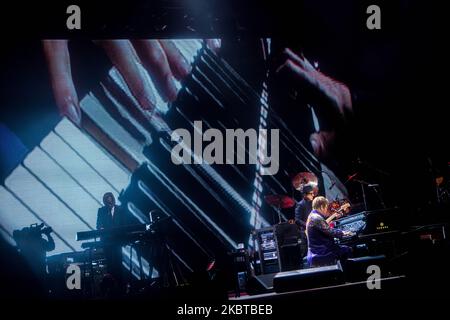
332, 90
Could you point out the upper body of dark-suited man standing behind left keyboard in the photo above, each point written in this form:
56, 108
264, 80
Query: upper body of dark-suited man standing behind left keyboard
110, 215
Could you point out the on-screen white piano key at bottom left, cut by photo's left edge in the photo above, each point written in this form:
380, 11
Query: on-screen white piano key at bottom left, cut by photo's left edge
15, 216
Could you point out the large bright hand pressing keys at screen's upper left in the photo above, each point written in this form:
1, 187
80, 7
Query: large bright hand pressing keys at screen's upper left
161, 59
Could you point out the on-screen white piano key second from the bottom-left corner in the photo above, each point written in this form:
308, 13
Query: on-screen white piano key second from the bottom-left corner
41, 201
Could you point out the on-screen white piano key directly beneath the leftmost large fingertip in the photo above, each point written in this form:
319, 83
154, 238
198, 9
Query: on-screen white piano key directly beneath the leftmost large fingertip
92, 153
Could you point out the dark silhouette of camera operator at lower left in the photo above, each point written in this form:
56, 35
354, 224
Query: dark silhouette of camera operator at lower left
33, 244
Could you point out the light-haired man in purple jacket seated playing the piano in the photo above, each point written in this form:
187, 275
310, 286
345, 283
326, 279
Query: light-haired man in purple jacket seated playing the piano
322, 248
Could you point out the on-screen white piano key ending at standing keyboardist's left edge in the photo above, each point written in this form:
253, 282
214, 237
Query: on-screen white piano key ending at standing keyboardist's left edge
64, 186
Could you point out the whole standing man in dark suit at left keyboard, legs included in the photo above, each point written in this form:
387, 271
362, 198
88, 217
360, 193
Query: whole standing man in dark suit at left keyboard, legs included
110, 216
